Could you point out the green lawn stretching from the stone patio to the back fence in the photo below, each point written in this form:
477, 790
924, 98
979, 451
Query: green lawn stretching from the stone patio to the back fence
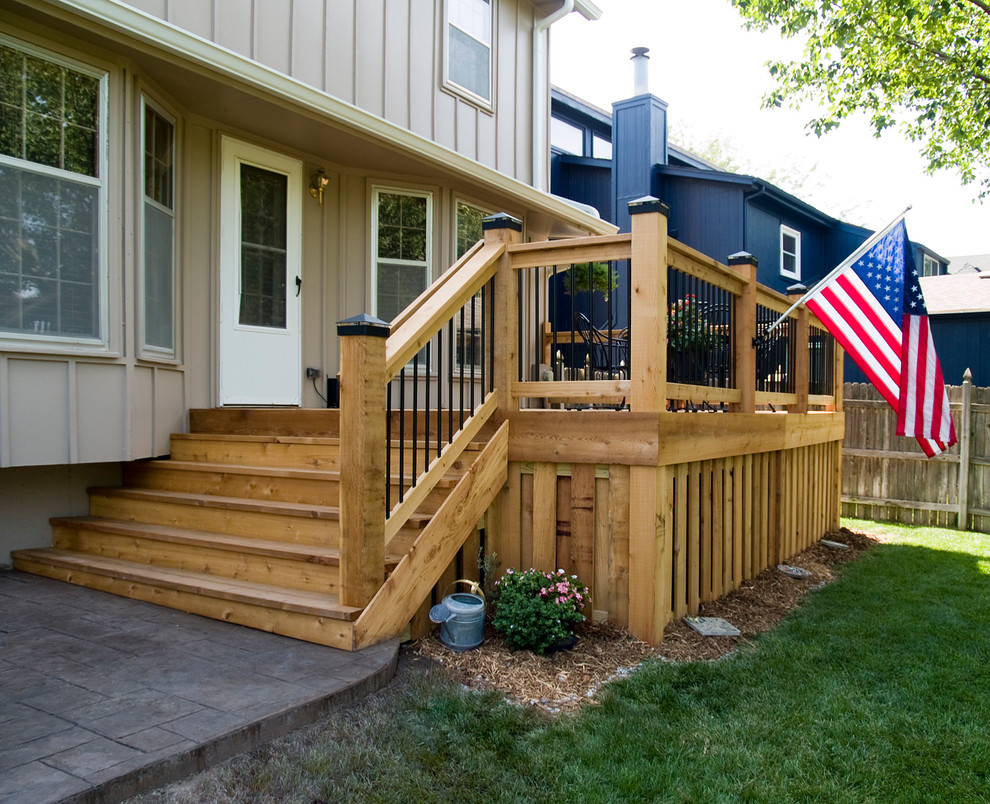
877, 689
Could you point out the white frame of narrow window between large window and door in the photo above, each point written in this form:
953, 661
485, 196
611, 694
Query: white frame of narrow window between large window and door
150, 350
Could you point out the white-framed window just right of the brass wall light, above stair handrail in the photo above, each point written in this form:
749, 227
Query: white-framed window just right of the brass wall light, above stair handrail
402, 223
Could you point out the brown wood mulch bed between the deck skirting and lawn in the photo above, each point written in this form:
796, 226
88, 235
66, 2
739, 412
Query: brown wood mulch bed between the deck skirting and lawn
564, 680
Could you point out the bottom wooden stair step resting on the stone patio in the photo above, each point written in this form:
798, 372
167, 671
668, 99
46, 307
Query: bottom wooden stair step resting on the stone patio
311, 616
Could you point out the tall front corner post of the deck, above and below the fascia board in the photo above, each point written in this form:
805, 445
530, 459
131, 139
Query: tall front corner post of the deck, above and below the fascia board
650, 502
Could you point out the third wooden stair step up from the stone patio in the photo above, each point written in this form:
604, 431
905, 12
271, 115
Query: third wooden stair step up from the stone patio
299, 523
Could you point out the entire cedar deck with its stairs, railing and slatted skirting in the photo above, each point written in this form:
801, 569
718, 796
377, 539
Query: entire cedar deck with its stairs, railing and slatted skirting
343, 527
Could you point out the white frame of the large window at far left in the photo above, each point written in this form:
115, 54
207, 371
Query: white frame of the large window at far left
36, 341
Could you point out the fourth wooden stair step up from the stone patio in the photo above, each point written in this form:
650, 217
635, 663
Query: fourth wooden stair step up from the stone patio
313, 486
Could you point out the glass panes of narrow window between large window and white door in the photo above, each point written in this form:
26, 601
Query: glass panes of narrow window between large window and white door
159, 231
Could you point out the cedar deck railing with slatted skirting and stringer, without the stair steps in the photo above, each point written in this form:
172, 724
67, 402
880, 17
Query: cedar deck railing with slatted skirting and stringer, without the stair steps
658, 510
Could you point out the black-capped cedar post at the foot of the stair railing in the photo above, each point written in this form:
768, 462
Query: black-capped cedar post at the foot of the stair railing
362, 458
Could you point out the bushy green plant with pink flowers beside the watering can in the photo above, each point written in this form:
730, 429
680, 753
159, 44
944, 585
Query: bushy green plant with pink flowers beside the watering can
538, 610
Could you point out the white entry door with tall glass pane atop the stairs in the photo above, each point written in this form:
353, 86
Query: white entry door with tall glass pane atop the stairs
260, 276
